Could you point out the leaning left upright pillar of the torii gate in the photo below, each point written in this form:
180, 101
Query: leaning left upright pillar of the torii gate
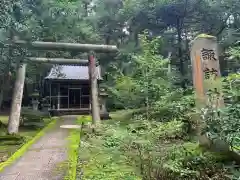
14, 118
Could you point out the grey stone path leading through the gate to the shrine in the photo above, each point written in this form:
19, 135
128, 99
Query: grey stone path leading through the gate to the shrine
44, 159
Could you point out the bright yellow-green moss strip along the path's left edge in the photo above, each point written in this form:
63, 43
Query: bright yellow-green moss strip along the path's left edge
25, 147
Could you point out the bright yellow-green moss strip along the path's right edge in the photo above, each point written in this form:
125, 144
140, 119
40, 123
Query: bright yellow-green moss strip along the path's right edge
73, 148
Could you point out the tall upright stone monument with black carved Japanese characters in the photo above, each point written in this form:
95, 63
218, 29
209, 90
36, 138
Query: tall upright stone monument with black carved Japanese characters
206, 69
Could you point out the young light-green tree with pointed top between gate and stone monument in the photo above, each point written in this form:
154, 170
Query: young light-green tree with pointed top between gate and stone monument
147, 82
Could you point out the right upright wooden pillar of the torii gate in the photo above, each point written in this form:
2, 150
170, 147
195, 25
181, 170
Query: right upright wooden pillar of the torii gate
94, 89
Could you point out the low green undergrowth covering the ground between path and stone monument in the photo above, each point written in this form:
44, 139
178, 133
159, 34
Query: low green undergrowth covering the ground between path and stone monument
153, 150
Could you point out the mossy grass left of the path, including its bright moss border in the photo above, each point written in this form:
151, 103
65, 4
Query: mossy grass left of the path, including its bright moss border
15, 148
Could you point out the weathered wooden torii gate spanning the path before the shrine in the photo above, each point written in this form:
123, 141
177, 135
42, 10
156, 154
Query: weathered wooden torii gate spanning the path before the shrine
59, 46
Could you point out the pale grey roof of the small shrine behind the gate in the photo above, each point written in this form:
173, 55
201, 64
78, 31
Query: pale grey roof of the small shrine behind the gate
71, 72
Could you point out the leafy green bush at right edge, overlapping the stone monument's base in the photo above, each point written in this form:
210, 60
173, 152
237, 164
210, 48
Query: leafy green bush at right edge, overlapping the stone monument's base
223, 123
